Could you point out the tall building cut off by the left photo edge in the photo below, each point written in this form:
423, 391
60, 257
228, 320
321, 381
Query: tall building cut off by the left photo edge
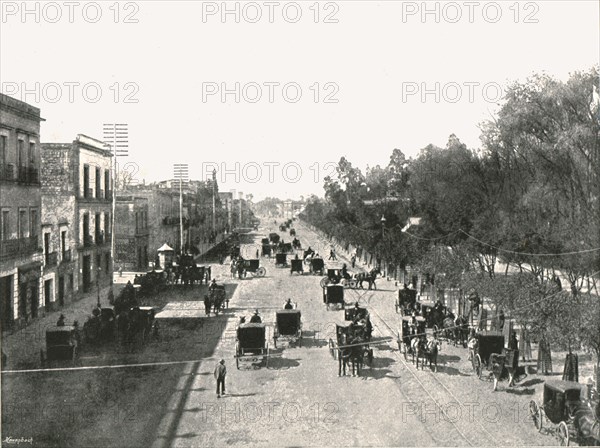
20, 204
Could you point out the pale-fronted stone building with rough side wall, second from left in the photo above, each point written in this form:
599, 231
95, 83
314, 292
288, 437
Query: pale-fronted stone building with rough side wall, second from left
78, 215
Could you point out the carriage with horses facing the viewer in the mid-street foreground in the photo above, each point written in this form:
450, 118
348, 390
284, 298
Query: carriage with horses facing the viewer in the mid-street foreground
351, 346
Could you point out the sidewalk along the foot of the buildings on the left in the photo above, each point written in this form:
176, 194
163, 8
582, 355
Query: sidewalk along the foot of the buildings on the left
23, 346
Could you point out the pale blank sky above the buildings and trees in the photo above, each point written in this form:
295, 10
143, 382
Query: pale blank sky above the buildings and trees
272, 94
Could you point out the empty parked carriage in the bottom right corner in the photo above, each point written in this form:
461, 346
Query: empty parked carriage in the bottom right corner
573, 417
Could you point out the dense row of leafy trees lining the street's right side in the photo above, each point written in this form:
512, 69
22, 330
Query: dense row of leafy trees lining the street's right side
511, 220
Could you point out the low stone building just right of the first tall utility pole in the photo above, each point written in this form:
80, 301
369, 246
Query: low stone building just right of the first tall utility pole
132, 236
